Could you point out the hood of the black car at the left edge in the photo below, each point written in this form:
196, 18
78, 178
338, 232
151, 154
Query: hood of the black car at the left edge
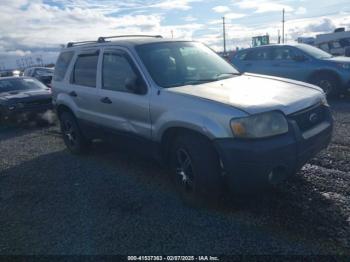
27, 95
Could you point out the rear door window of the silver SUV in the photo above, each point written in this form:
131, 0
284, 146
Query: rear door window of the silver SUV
85, 70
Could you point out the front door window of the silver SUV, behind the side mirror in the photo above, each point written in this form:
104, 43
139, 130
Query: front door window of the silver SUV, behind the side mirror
117, 71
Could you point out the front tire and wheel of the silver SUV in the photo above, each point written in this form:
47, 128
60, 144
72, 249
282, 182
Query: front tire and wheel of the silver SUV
196, 171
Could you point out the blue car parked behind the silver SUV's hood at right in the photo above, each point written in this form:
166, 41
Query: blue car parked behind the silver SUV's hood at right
300, 62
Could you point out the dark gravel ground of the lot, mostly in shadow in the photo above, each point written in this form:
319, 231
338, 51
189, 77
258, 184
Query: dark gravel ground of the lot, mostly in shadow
112, 202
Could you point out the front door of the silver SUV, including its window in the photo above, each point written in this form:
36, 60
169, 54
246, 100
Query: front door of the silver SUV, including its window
122, 109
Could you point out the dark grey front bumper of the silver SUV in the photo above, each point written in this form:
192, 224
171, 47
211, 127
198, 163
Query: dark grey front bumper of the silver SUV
259, 162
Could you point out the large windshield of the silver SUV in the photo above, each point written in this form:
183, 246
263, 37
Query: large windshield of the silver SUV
173, 64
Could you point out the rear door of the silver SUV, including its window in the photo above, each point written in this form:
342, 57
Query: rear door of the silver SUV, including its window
83, 83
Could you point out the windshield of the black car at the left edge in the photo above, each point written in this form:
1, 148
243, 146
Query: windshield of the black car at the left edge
20, 84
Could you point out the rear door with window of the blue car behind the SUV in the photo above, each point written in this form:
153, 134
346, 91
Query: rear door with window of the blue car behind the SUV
258, 61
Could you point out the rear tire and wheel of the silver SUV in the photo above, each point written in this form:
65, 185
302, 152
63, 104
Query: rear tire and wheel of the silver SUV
72, 136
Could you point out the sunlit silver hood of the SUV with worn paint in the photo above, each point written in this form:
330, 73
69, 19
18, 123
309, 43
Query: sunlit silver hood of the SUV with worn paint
257, 93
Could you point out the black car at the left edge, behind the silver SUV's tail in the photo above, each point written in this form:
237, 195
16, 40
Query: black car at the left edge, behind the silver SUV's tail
23, 98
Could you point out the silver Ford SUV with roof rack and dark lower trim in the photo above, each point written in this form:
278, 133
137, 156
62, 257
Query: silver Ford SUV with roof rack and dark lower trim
212, 125
